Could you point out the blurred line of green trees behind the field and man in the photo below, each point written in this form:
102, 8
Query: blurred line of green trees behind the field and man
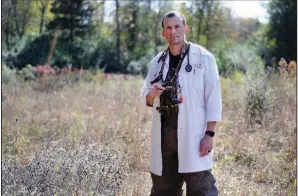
123, 36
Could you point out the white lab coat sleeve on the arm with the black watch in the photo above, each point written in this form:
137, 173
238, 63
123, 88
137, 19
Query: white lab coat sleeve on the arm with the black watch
212, 90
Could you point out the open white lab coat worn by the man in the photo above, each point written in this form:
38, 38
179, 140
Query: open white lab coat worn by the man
202, 103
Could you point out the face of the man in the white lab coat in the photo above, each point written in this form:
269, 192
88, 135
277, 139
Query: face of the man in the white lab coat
174, 30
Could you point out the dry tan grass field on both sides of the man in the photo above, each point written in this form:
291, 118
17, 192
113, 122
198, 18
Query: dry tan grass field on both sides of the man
92, 138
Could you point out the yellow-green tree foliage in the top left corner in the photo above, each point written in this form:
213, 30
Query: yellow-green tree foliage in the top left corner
21, 18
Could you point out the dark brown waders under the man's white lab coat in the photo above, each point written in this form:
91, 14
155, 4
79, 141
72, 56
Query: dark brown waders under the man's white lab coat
171, 182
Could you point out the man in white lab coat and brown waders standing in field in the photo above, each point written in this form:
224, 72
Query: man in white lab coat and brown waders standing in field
183, 87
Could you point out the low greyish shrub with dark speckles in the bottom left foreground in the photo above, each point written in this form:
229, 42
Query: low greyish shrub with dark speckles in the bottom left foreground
54, 171
